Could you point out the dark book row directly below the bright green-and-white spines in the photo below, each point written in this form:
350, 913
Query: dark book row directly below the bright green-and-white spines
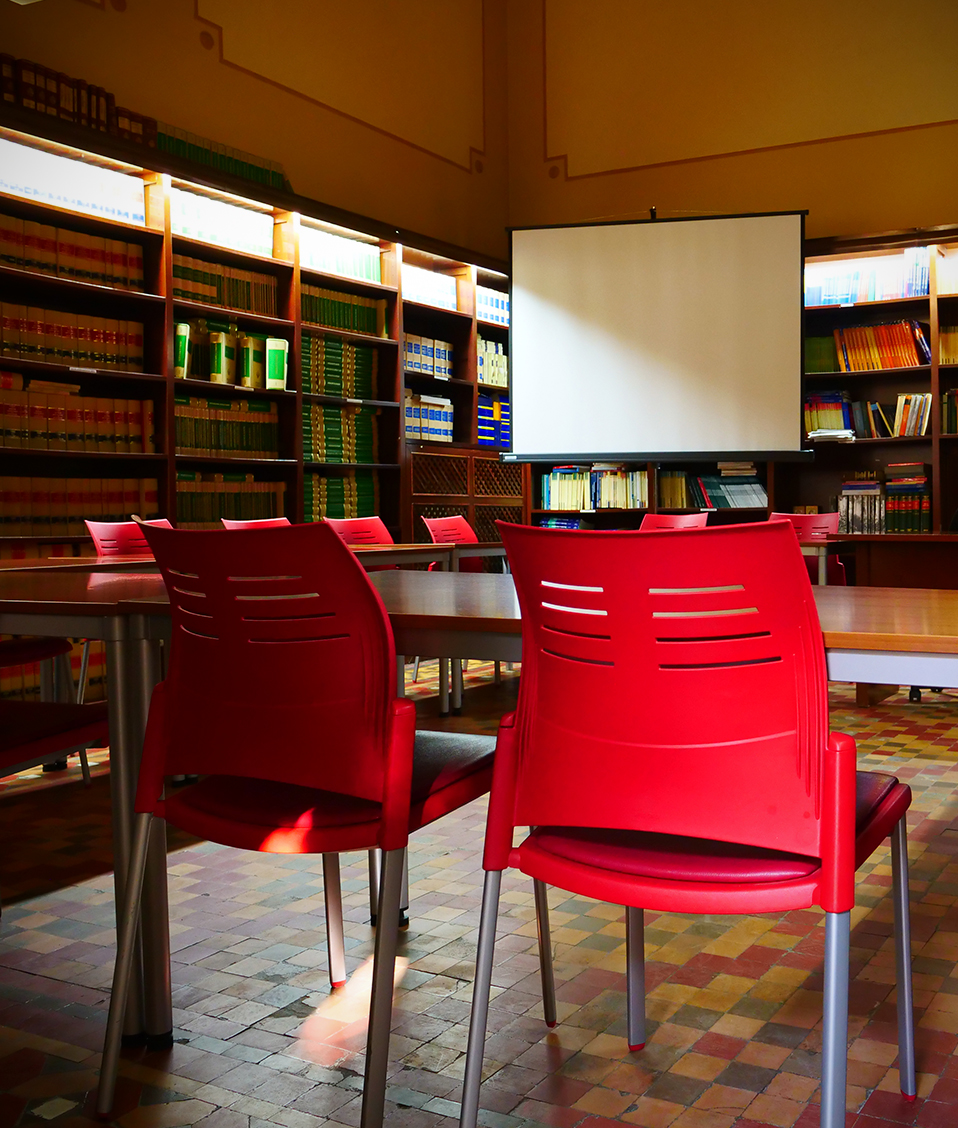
248, 428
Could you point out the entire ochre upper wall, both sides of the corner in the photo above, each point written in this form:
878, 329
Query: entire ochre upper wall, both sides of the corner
399, 110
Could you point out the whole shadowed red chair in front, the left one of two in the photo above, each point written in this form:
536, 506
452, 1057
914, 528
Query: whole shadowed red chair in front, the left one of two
282, 695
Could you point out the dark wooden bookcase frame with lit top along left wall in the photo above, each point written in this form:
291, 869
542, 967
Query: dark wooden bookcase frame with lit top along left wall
486, 489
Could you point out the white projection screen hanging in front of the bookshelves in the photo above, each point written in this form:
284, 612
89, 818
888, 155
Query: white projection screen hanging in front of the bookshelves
658, 339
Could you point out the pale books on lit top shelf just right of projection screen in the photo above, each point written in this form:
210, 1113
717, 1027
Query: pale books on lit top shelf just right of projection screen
873, 279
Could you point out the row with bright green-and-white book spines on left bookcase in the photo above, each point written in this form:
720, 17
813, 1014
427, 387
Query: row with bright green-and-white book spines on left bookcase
223, 354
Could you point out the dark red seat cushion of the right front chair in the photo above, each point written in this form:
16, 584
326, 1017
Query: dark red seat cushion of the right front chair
675, 858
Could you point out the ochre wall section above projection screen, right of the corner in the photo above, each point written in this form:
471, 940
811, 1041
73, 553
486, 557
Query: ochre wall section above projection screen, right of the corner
846, 109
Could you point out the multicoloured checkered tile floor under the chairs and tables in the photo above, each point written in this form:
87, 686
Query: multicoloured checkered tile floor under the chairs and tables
735, 1002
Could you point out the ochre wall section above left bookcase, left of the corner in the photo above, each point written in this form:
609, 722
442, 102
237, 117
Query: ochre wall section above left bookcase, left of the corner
391, 110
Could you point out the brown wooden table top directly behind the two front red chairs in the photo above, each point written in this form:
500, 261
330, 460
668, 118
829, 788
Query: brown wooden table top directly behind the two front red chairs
913, 620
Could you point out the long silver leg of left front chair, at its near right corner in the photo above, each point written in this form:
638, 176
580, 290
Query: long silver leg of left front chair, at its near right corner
381, 1004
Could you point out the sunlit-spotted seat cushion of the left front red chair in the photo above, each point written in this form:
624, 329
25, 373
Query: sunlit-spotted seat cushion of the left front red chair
442, 760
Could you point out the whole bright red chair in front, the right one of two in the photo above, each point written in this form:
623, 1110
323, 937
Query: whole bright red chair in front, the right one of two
674, 797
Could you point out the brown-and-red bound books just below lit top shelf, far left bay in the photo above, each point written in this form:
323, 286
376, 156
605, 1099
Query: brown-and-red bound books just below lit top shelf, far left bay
59, 252
